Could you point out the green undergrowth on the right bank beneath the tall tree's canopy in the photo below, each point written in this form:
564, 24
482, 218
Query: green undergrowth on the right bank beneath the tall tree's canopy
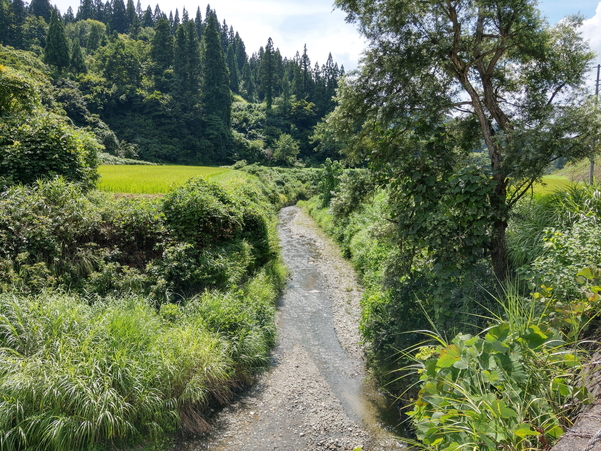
475, 364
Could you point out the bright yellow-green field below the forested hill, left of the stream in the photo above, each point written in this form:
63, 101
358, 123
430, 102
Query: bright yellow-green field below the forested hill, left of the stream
151, 179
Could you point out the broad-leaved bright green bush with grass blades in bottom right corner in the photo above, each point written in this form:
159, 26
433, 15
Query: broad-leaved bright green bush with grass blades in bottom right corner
513, 385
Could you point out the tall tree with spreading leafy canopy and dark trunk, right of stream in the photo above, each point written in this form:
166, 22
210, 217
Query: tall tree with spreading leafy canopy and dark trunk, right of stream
509, 81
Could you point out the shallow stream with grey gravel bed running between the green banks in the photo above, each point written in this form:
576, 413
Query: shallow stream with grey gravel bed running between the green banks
314, 397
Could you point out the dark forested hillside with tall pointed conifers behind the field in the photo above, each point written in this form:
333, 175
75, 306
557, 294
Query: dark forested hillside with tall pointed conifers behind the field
168, 86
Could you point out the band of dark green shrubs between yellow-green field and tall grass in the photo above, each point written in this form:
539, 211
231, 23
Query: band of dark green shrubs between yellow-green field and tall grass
200, 236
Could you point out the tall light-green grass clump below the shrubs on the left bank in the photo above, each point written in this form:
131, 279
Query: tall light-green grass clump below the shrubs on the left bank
74, 375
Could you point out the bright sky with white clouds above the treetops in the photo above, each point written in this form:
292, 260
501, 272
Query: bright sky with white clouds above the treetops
293, 23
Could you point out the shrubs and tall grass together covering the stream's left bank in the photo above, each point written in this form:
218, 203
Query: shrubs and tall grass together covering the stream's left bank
123, 319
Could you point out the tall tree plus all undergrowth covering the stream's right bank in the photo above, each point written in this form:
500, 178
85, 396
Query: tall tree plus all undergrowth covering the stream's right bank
458, 109
